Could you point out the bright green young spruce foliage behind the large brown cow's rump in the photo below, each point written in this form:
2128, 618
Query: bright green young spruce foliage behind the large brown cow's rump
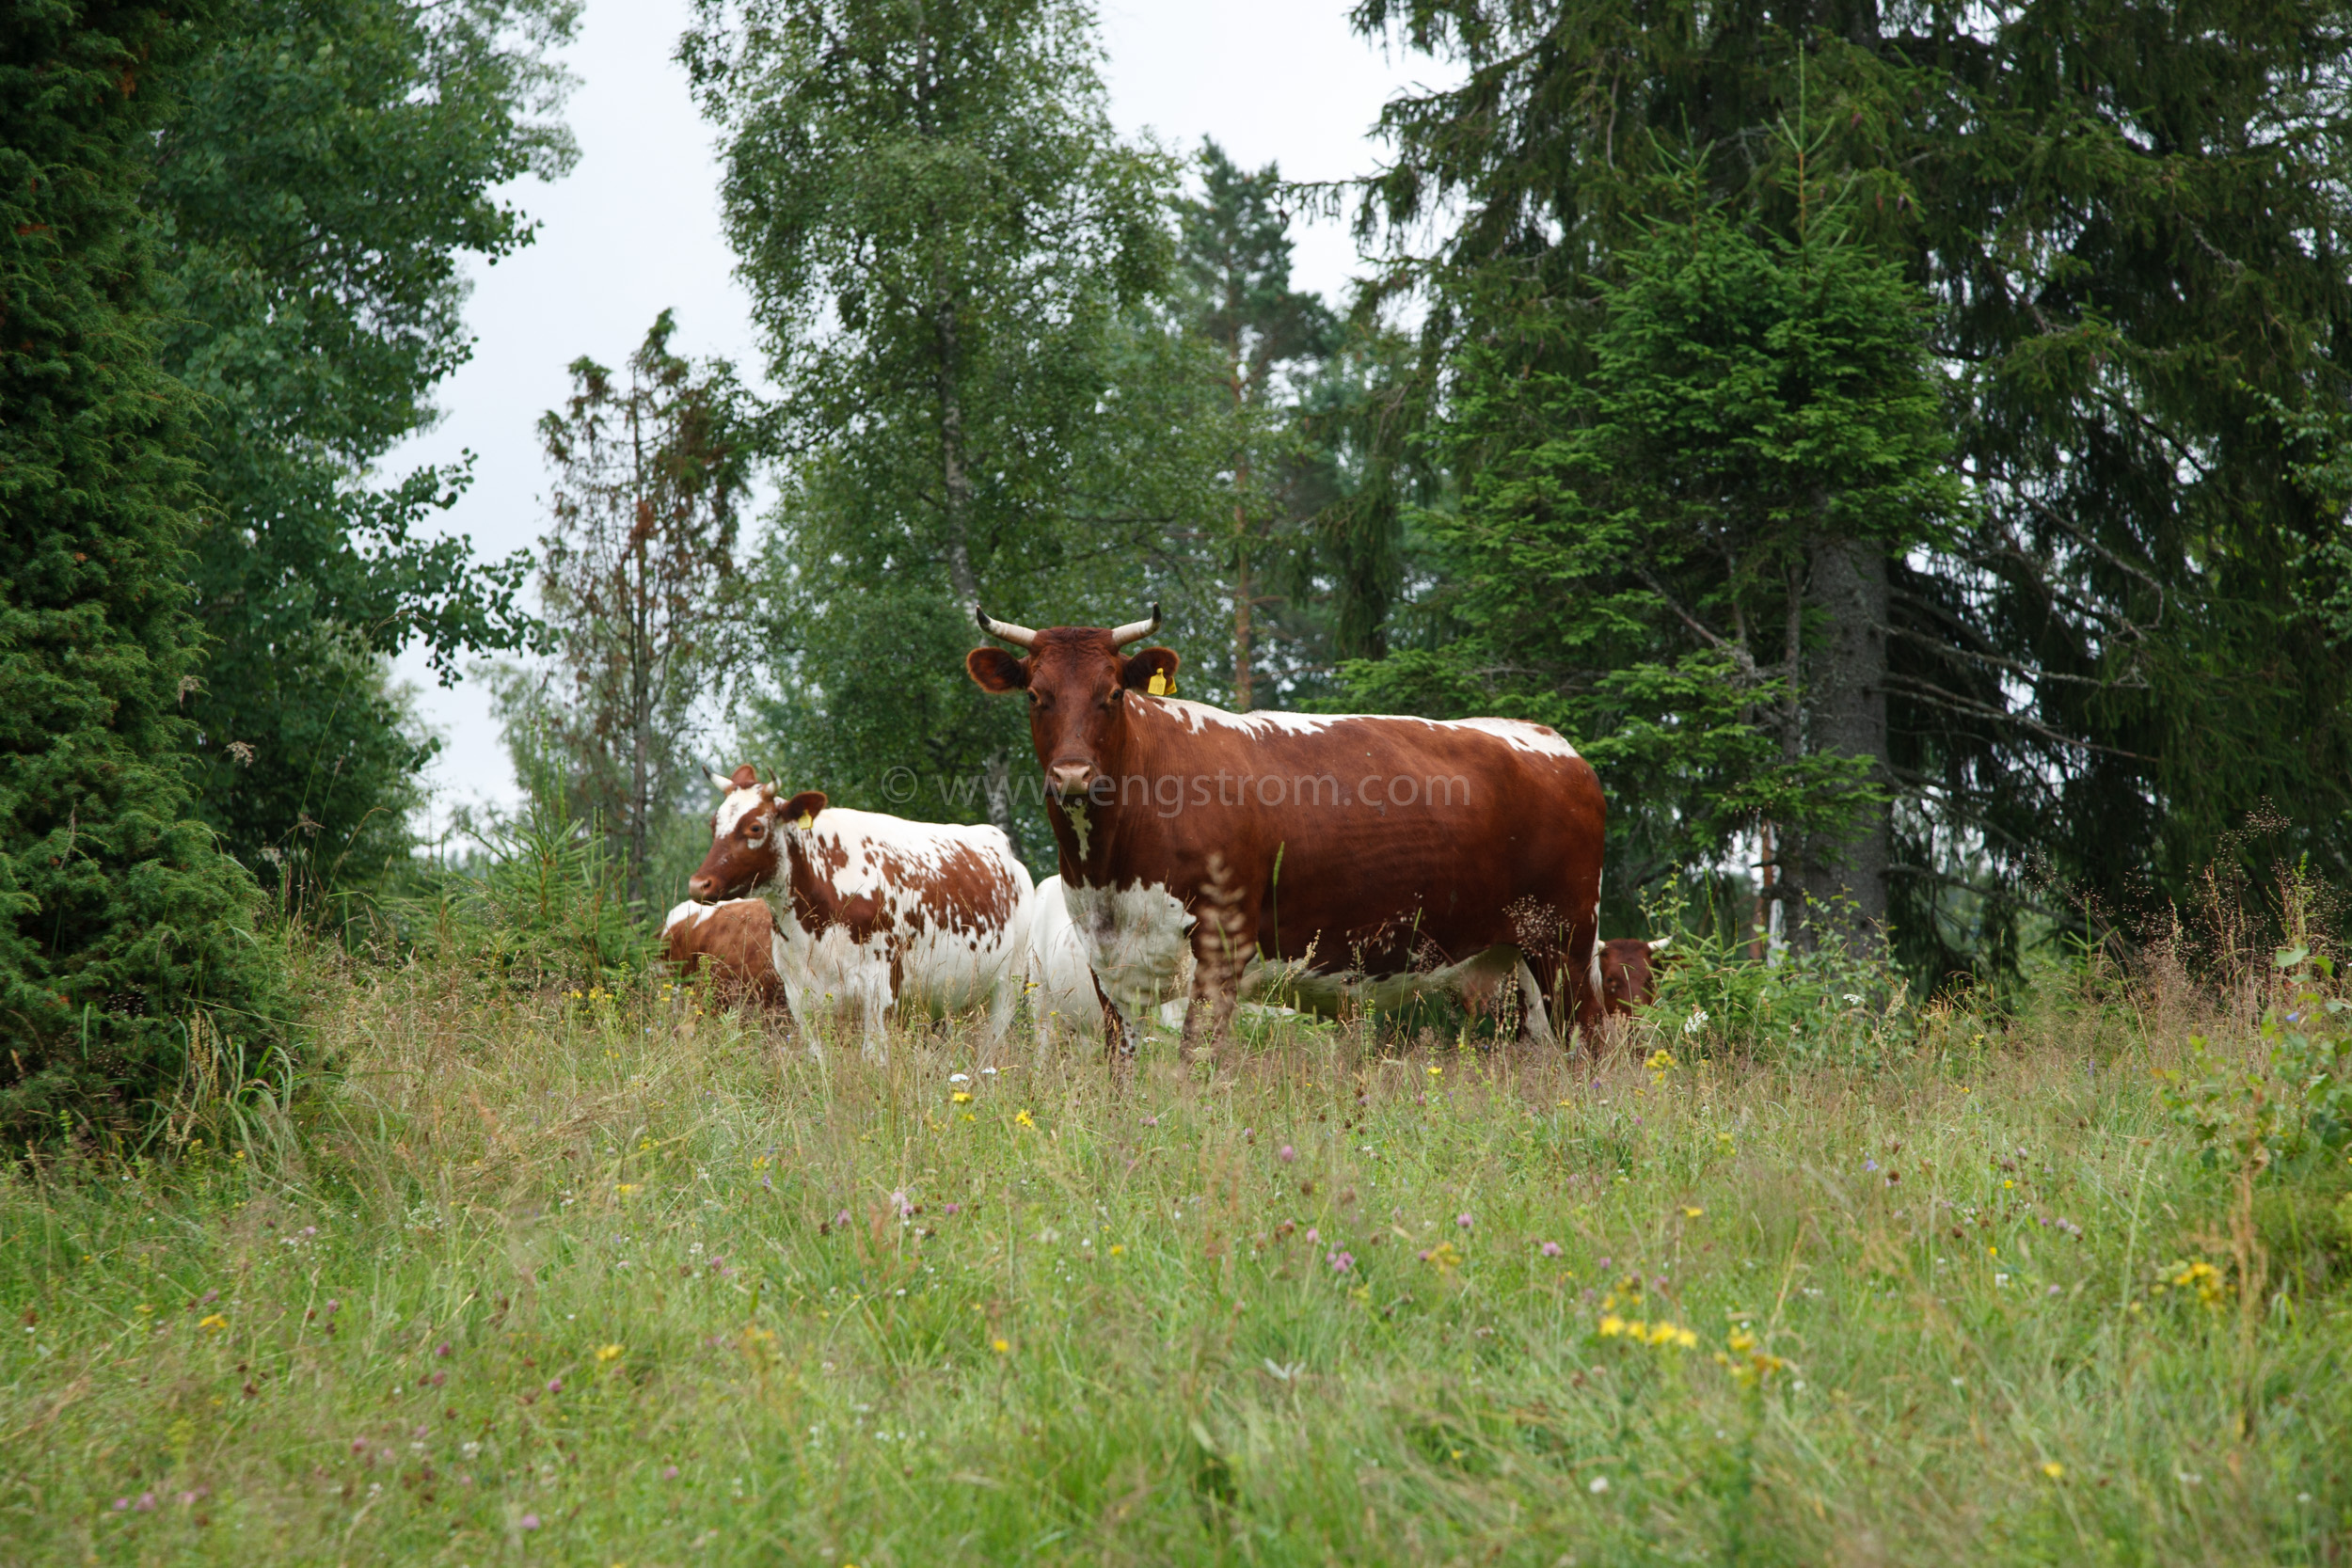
1645, 488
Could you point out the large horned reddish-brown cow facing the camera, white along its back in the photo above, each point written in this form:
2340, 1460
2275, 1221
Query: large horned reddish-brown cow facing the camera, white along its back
1370, 857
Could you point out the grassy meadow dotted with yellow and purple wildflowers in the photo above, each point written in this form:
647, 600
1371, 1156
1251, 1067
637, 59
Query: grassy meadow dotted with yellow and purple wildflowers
573, 1282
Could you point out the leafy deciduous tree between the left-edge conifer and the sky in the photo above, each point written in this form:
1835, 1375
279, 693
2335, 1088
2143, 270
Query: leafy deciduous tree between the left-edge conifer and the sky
316, 194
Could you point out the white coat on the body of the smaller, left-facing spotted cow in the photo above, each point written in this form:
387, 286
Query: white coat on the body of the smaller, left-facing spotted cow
944, 967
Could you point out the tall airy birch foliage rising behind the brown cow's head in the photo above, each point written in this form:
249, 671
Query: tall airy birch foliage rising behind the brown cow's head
956, 262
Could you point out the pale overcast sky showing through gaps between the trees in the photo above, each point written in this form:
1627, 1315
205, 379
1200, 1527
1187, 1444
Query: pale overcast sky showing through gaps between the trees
636, 229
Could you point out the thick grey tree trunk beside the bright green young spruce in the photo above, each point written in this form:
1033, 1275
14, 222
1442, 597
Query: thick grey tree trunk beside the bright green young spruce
1845, 873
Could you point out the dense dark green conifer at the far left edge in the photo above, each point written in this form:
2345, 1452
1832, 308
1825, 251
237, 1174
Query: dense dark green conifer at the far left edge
121, 923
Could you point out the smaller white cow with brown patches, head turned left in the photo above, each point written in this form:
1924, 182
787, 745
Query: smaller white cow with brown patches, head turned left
874, 913
